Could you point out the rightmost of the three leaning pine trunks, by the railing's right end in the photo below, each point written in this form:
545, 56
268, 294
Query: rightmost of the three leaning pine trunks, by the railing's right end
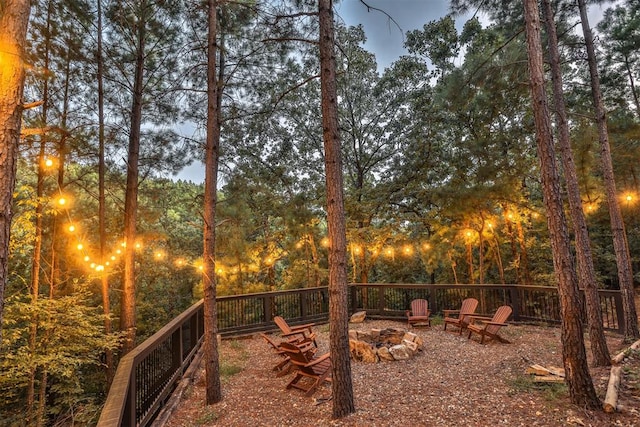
620, 245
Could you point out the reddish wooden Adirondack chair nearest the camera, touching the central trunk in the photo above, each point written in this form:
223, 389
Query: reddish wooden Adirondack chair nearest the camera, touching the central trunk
317, 370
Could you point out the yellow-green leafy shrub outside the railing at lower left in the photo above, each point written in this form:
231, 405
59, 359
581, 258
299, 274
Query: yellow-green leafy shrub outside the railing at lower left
66, 353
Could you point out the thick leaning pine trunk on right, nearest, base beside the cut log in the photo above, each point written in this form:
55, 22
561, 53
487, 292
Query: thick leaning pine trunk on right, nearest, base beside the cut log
578, 379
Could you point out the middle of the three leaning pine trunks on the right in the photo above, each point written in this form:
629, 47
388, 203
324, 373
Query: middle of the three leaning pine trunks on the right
586, 271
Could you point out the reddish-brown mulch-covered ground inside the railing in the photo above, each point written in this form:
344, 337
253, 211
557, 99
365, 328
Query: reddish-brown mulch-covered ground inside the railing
451, 381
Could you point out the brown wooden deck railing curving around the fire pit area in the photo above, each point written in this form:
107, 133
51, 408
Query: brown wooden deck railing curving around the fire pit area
147, 375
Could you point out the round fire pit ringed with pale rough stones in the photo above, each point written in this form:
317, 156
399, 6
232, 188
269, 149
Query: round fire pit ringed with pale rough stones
383, 344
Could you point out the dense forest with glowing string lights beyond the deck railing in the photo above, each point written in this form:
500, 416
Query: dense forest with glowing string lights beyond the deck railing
441, 176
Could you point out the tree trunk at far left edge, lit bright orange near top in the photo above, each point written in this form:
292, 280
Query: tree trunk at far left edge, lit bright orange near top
14, 20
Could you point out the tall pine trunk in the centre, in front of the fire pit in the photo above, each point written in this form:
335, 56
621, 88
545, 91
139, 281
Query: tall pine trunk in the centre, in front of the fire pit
343, 401
